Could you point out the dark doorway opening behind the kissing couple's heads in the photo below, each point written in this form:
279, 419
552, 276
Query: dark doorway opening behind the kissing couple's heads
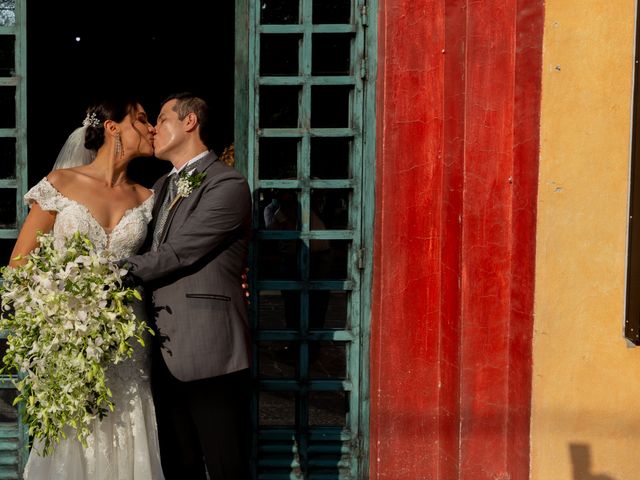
79, 51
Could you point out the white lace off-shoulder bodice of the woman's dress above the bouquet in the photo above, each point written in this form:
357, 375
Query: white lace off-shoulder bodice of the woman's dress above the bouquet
125, 238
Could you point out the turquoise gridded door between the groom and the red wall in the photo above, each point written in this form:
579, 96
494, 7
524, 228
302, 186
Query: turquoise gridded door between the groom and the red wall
301, 89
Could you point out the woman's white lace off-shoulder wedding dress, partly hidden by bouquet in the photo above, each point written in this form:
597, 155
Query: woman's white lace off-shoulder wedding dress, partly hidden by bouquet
124, 444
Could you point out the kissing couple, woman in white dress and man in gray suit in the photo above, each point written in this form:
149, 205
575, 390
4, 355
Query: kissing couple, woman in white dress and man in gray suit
185, 241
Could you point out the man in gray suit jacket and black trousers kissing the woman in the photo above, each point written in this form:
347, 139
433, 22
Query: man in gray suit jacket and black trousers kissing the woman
195, 257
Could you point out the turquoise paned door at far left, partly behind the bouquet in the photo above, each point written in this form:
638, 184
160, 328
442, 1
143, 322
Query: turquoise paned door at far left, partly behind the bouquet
13, 184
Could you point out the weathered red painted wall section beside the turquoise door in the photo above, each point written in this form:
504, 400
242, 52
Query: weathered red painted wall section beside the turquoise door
458, 120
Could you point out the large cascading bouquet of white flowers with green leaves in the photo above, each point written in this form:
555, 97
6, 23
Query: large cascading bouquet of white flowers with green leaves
68, 317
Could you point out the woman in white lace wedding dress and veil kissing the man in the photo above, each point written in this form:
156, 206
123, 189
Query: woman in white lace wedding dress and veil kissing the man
89, 191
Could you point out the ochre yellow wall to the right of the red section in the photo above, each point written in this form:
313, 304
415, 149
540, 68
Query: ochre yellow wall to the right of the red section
586, 381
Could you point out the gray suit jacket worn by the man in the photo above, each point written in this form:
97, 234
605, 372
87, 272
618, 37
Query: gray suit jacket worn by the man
194, 278
